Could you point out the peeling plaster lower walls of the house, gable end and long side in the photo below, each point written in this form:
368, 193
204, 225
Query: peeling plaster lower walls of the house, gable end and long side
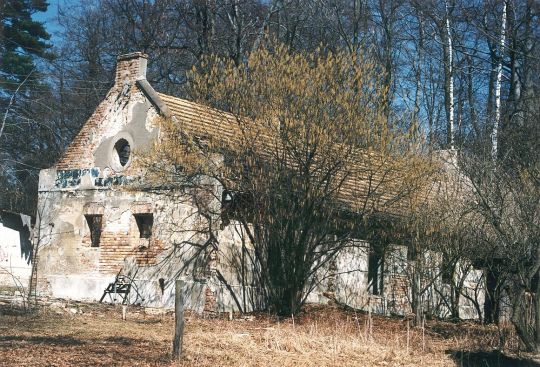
71, 268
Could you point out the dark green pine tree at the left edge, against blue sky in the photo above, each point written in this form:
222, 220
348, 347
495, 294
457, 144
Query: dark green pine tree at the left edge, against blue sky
22, 41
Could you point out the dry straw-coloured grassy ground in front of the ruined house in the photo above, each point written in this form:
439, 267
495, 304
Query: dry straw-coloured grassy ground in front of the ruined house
78, 334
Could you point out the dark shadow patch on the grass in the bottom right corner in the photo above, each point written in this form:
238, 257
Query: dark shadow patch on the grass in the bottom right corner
488, 359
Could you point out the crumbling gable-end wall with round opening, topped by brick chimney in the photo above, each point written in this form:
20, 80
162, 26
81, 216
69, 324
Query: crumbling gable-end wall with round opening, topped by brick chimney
88, 180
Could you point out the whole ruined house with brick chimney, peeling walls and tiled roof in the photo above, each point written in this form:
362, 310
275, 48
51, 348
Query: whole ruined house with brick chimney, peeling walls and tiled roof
92, 227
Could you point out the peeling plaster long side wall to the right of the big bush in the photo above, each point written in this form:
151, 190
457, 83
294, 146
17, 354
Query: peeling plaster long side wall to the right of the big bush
346, 280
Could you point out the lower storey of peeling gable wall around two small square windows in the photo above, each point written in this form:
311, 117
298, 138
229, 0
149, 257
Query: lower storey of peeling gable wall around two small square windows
70, 268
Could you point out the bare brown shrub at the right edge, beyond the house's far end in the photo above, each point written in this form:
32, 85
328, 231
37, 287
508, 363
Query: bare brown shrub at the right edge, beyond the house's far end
508, 202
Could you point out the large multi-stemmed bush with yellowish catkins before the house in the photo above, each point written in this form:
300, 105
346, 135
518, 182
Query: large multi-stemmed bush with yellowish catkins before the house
307, 159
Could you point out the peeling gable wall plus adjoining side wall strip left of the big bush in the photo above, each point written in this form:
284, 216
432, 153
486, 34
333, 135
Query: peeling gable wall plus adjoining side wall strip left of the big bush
89, 181
